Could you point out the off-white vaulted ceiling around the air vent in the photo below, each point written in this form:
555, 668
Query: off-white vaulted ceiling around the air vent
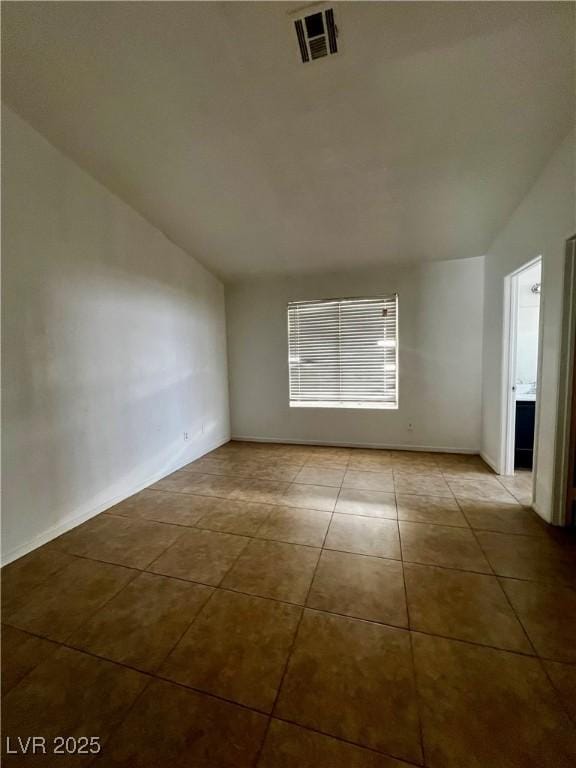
415, 142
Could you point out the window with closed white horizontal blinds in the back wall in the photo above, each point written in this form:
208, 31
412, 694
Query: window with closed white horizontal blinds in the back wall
343, 353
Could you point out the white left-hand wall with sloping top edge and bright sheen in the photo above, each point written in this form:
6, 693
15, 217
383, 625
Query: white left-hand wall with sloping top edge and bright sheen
114, 345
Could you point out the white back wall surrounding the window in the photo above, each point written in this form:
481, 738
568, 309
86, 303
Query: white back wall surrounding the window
440, 356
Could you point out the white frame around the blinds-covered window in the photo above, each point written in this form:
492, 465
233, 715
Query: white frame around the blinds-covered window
363, 405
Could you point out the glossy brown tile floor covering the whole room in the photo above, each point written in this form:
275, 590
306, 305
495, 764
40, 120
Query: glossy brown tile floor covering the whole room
301, 607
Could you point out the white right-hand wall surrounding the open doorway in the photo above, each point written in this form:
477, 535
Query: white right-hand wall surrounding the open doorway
540, 226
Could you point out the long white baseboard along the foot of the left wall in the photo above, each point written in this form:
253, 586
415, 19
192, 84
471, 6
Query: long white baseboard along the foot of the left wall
86, 514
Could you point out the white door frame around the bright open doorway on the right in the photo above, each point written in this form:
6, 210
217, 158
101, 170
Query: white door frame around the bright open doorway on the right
509, 347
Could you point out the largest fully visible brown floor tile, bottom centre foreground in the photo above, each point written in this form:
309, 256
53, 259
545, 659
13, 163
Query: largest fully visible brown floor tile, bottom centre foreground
354, 680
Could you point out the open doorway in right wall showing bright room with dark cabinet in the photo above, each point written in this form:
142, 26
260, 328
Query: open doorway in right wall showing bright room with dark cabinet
521, 374
